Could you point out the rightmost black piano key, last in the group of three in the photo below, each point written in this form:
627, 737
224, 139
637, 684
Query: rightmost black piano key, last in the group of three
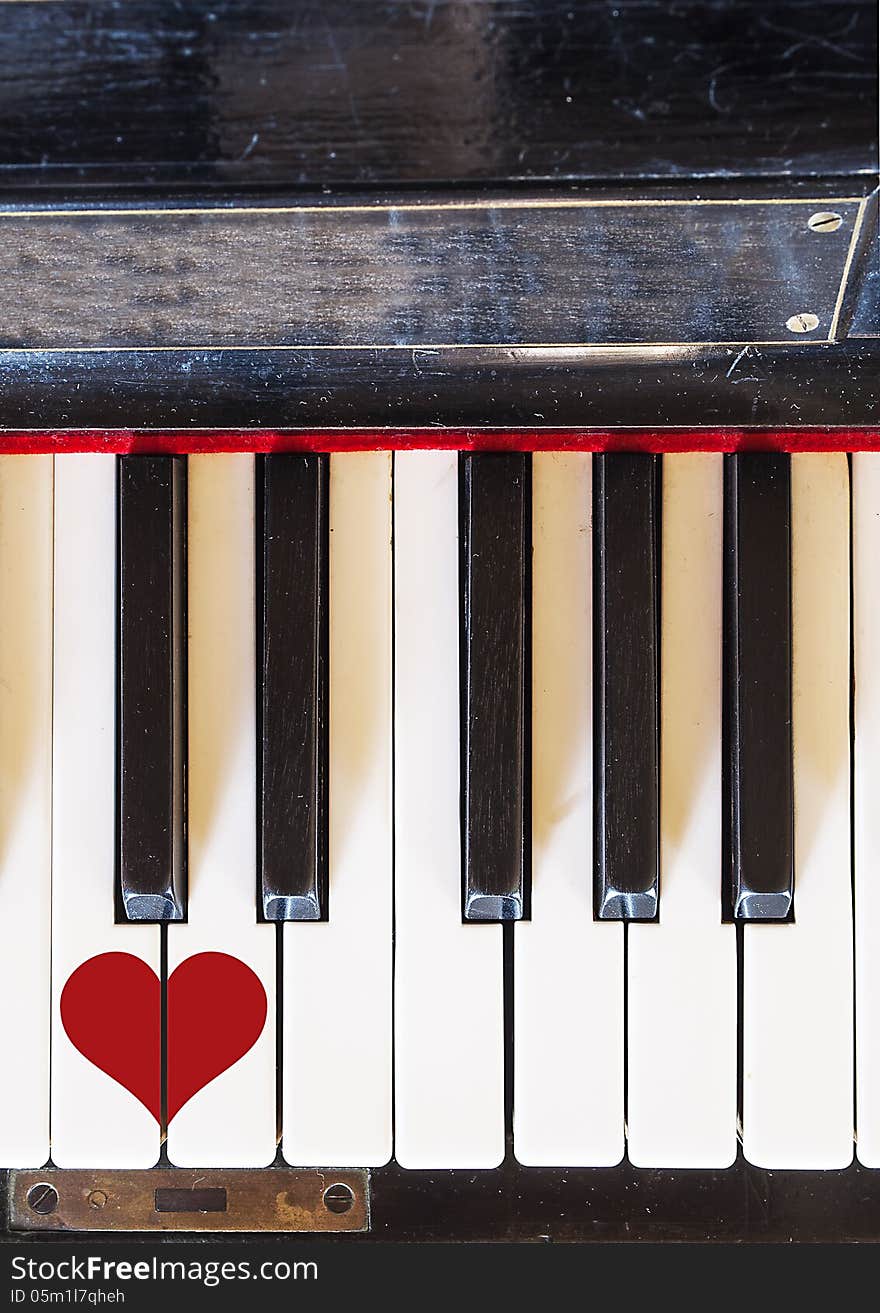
759, 686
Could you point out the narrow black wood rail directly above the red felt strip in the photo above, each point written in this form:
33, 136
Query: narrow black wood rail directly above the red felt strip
786, 388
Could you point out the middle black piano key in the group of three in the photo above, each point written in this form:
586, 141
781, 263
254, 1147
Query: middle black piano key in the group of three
626, 686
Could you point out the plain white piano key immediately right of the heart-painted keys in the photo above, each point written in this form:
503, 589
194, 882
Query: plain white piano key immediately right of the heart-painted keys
337, 1079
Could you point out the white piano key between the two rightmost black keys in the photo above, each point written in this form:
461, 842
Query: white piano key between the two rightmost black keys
682, 988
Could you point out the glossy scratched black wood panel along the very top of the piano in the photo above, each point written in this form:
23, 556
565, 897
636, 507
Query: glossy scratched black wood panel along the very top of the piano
333, 93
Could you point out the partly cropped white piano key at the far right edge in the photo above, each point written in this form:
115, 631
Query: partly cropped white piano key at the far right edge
866, 555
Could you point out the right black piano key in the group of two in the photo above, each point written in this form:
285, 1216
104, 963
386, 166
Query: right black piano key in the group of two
294, 549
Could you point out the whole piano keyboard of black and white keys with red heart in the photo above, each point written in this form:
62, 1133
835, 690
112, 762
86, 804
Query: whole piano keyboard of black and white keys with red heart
426, 807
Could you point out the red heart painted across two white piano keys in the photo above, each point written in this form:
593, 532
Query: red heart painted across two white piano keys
112, 1013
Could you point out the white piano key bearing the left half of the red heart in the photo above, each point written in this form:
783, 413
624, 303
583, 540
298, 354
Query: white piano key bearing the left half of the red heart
95, 1121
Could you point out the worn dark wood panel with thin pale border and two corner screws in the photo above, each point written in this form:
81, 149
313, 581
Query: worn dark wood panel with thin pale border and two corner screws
424, 275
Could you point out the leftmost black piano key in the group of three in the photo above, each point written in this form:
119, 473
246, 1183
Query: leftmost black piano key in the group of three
496, 494
